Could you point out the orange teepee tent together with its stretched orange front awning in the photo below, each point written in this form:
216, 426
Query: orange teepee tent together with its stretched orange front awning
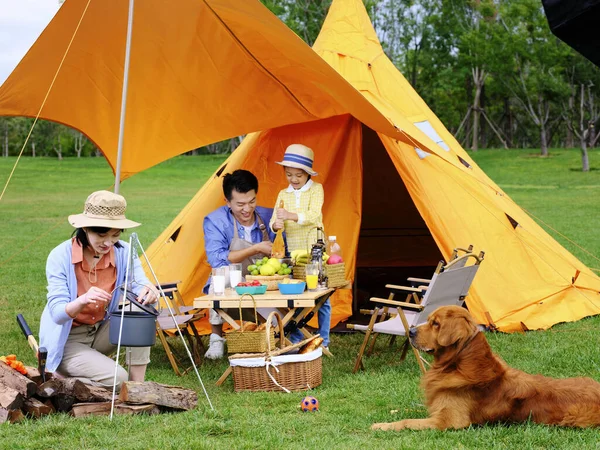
400, 191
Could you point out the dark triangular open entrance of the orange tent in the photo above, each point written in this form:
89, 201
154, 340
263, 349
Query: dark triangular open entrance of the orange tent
394, 241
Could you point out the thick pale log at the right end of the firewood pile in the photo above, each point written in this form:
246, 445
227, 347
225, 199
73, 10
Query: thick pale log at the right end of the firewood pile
159, 394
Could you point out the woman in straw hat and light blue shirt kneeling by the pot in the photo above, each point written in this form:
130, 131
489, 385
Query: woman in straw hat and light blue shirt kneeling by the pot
83, 274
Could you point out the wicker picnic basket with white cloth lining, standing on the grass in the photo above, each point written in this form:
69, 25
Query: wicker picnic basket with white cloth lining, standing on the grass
274, 371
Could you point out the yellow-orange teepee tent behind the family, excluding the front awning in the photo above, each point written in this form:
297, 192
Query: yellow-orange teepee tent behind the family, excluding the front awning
392, 204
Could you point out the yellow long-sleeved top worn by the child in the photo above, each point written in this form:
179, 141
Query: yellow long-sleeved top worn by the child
307, 202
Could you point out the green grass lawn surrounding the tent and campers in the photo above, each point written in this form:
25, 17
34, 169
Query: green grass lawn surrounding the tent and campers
33, 220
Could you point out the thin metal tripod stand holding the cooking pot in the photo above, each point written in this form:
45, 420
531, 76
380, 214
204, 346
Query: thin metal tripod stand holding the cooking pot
134, 244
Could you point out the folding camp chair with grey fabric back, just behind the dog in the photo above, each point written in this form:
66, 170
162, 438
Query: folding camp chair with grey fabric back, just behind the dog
449, 286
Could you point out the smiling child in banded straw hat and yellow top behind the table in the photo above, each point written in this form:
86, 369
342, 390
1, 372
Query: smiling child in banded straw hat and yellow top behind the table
303, 202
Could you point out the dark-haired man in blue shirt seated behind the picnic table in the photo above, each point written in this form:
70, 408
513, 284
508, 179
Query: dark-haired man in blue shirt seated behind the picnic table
235, 233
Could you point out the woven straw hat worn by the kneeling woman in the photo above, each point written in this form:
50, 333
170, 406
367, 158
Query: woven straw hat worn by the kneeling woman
103, 209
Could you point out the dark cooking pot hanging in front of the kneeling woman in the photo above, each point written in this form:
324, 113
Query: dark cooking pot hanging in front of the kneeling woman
139, 324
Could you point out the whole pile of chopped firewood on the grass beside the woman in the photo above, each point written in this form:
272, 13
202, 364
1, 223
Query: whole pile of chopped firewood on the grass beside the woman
26, 396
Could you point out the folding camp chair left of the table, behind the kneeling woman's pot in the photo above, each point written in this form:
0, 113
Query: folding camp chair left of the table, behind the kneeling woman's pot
166, 328
